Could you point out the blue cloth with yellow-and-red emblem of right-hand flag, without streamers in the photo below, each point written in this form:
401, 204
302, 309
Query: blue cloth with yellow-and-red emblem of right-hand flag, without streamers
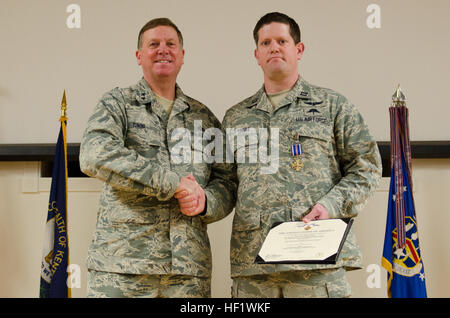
406, 275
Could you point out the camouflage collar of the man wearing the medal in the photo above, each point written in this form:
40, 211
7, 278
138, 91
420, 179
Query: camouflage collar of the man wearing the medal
301, 90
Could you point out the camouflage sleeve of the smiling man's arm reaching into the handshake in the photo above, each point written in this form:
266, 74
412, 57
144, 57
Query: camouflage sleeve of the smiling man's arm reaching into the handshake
103, 154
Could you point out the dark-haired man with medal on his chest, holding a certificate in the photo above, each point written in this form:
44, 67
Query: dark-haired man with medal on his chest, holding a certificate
339, 167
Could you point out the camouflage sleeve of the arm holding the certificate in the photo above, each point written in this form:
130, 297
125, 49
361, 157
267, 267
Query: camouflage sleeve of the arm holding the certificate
360, 162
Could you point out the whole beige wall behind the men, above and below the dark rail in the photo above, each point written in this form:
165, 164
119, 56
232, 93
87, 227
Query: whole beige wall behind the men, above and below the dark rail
41, 55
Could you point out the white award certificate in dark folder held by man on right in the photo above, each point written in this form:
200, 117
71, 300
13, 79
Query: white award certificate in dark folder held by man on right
315, 242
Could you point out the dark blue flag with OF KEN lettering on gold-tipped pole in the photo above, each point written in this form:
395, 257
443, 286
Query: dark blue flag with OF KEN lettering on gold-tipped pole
55, 258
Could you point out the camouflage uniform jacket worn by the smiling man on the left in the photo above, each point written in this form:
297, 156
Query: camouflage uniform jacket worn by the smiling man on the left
140, 228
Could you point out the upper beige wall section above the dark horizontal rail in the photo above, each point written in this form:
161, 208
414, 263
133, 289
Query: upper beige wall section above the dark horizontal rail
43, 53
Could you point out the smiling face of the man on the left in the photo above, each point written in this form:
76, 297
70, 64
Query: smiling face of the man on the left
161, 54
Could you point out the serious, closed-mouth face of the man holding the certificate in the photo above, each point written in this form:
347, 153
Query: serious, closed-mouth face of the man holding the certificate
276, 52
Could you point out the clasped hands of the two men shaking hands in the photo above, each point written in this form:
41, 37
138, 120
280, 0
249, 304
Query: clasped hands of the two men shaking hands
190, 195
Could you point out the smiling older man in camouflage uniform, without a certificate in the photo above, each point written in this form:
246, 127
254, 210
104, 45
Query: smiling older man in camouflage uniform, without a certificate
151, 238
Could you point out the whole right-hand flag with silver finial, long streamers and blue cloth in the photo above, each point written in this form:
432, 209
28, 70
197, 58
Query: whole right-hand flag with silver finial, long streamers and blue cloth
401, 253
